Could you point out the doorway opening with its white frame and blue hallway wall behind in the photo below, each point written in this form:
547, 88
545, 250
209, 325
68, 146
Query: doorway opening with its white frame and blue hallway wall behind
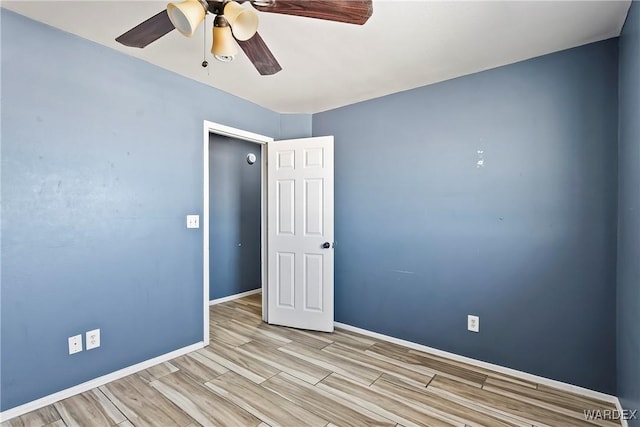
232, 250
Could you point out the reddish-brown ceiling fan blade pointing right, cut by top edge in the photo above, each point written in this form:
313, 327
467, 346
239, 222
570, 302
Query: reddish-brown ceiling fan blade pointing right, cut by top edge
348, 11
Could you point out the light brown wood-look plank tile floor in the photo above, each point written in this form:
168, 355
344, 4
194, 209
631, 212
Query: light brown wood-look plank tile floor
254, 374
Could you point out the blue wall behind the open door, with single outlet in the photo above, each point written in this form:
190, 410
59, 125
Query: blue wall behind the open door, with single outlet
527, 242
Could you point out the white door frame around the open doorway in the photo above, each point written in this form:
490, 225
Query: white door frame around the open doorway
216, 128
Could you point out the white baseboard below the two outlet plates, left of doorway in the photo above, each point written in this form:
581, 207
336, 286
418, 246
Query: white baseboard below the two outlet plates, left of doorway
96, 382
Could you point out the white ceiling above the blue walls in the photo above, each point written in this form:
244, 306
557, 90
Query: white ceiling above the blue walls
405, 44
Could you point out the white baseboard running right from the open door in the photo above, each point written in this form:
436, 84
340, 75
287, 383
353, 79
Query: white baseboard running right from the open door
500, 369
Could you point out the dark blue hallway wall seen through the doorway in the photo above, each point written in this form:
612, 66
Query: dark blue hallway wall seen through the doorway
235, 217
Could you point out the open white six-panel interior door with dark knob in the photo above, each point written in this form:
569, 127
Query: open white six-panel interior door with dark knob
300, 233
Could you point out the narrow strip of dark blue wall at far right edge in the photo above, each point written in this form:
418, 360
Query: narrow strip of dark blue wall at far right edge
629, 214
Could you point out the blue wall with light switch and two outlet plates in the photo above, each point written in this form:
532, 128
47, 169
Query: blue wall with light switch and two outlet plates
101, 162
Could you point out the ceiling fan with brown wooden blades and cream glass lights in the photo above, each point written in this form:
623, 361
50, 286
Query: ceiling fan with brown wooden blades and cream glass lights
233, 21
